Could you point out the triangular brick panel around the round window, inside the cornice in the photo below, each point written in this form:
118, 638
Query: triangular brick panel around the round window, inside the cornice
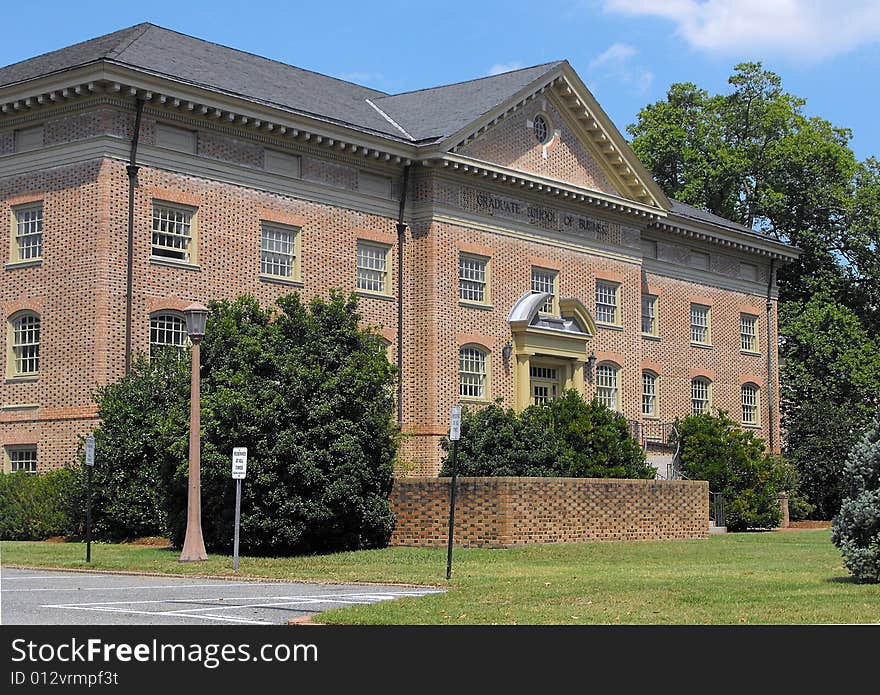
512, 143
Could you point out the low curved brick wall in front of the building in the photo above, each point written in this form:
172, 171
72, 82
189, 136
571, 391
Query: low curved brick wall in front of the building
503, 512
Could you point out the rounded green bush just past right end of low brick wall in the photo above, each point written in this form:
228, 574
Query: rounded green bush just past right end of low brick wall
735, 463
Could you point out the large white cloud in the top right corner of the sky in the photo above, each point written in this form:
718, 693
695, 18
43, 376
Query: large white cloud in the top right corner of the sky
804, 29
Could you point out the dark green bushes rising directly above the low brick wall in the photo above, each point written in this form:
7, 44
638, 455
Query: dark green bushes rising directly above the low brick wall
567, 437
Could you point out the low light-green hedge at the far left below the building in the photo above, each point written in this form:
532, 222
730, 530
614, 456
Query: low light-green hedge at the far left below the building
34, 507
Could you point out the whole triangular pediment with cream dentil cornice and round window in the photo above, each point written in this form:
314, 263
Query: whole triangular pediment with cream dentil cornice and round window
583, 147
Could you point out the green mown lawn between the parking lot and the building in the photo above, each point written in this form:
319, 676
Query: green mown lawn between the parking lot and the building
794, 577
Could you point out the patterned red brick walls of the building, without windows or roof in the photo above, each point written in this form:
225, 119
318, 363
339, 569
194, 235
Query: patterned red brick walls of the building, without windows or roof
335, 195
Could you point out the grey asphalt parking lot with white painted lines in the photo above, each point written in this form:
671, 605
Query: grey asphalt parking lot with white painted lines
38, 597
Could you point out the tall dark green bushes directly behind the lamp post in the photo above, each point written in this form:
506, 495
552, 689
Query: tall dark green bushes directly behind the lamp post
308, 392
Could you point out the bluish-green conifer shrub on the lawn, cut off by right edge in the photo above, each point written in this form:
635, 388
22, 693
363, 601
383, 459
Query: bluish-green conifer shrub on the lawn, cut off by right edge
856, 527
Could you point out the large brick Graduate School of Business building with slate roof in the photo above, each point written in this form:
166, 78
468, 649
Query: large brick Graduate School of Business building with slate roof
500, 232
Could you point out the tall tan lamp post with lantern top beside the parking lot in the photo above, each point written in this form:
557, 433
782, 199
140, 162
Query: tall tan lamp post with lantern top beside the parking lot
194, 543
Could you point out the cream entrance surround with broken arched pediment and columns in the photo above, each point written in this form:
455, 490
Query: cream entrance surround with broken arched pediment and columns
550, 351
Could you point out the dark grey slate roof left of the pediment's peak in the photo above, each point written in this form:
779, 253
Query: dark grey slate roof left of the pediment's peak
427, 115
